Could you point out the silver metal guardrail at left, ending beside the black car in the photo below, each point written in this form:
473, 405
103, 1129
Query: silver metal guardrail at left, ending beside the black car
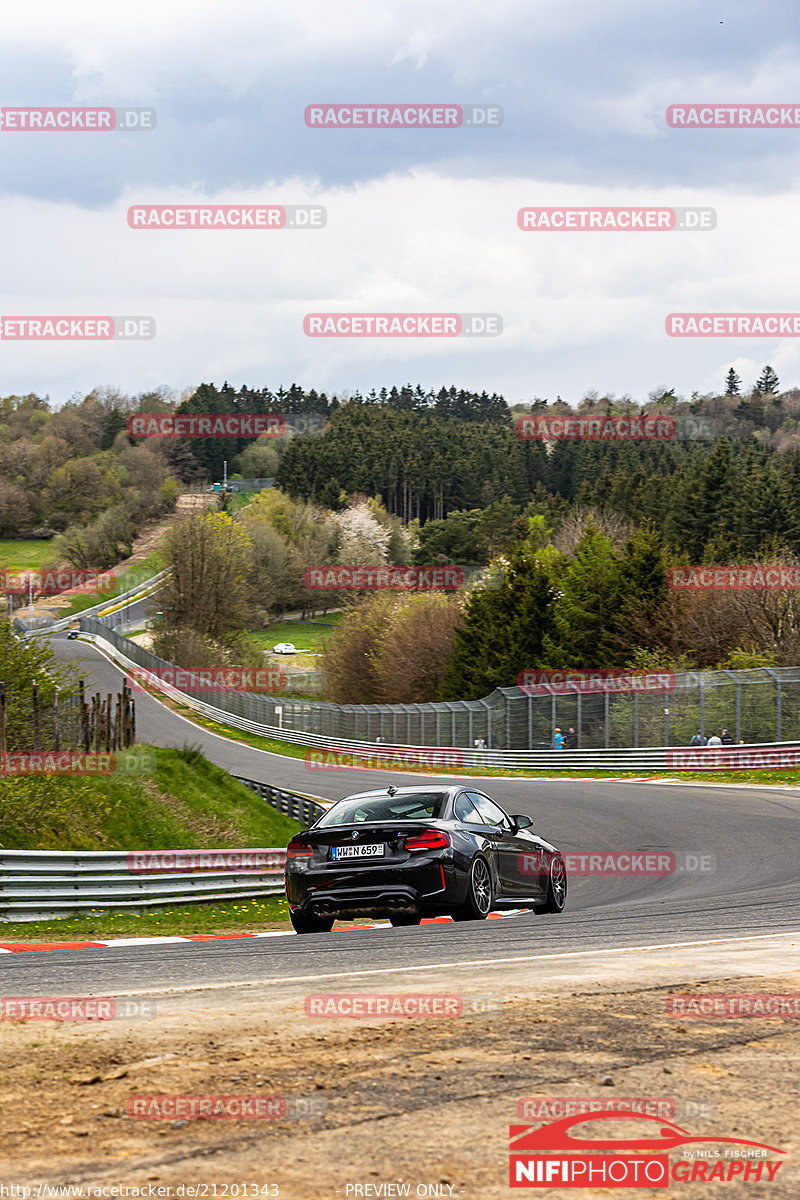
37, 885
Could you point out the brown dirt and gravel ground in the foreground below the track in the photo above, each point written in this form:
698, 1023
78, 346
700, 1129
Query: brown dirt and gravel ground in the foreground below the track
418, 1103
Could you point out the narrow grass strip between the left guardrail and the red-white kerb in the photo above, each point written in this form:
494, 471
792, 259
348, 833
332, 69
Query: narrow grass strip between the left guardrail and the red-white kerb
182, 921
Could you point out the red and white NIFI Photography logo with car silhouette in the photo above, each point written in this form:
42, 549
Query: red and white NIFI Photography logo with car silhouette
581, 1153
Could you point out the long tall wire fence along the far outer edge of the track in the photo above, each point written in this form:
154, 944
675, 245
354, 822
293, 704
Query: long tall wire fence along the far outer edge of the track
756, 706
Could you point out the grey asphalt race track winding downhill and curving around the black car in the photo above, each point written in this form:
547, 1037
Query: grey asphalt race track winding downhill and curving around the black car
741, 879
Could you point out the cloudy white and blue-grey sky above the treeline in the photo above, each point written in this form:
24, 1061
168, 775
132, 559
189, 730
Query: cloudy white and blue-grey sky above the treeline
418, 221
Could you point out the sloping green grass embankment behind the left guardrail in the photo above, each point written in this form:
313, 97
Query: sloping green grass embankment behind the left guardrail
187, 803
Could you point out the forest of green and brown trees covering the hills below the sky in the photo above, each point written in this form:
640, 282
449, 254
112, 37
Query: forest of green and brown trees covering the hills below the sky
576, 537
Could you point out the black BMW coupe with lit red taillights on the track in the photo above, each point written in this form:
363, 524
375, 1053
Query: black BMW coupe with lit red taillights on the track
410, 853
